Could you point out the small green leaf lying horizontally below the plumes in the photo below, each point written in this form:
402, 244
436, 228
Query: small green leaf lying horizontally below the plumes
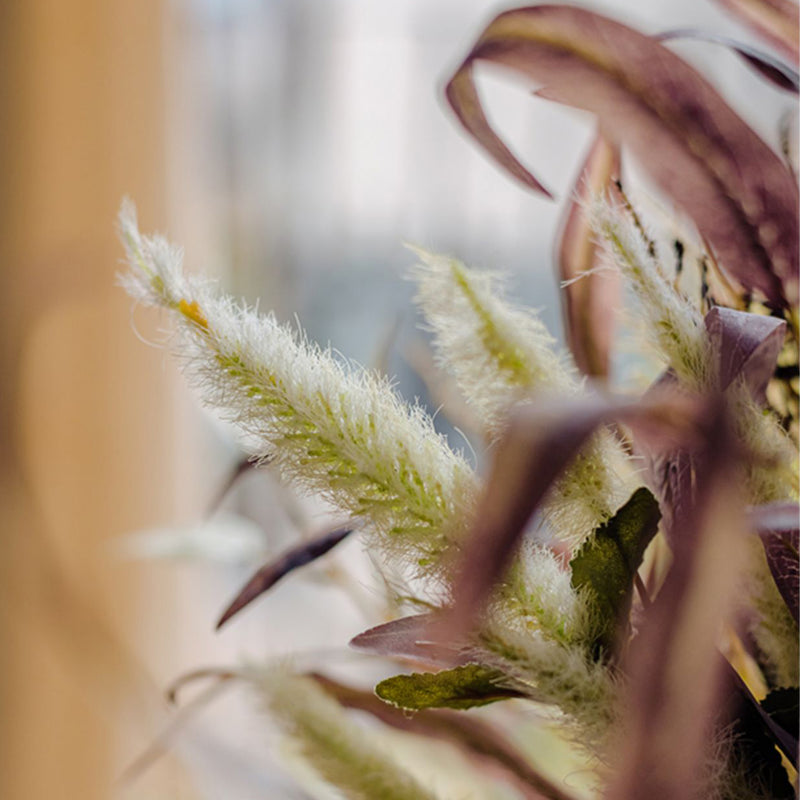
461, 687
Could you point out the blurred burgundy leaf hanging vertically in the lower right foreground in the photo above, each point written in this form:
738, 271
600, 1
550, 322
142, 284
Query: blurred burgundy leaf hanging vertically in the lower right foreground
675, 674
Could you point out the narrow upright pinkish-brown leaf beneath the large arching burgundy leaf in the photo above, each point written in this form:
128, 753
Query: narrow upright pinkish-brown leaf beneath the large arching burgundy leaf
588, 298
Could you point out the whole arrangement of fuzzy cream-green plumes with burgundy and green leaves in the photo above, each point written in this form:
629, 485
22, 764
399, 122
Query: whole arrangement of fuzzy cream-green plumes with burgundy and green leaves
628, 561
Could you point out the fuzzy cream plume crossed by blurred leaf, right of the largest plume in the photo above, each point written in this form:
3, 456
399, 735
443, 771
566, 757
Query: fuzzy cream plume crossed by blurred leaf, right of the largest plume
501, 354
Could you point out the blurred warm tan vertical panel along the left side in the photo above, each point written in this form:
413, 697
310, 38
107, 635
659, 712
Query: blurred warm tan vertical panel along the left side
84, 439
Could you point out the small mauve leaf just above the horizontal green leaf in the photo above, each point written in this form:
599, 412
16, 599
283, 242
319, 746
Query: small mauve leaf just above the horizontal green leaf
409, 637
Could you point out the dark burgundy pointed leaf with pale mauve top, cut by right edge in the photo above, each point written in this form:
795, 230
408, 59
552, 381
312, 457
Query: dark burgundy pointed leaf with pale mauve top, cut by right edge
778, 525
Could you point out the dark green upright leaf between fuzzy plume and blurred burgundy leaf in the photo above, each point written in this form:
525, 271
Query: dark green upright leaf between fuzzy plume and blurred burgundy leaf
607, 563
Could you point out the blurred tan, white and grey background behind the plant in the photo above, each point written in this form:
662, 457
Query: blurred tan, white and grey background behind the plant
292, 147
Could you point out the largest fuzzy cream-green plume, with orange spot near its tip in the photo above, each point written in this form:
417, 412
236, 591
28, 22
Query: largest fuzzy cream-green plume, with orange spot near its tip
329, 429
